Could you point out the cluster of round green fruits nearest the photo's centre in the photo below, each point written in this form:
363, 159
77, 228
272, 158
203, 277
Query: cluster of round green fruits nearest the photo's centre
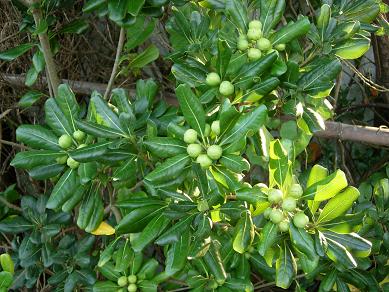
195, 148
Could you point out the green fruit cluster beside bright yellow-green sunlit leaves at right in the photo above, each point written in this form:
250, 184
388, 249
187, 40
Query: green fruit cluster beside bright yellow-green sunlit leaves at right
283, 208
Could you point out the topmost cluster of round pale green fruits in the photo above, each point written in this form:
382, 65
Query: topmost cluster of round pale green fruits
255, 43
